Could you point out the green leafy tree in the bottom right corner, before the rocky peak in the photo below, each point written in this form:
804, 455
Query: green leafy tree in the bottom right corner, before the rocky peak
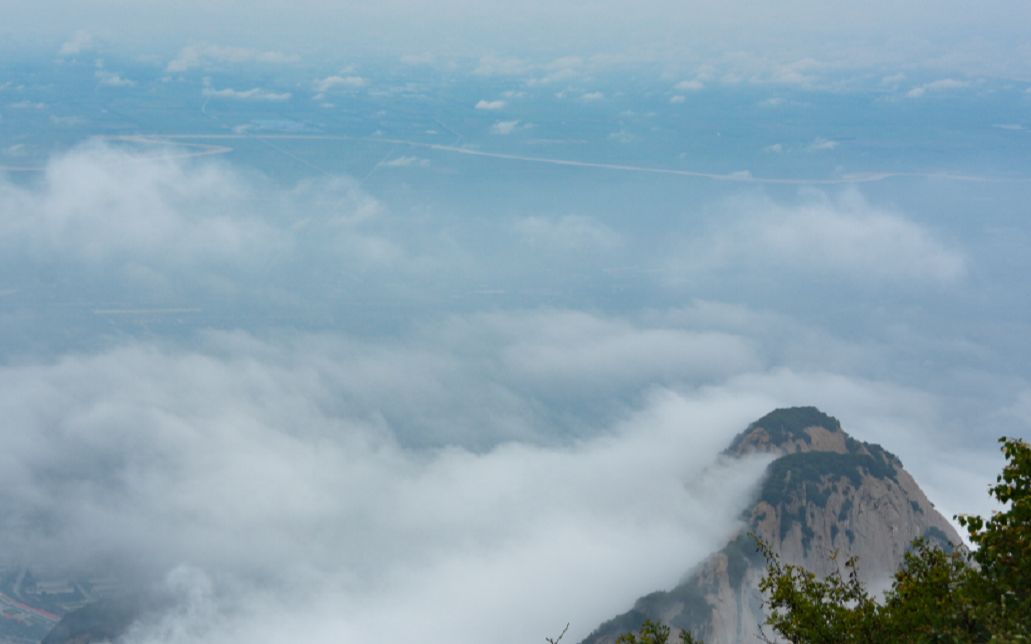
938, 596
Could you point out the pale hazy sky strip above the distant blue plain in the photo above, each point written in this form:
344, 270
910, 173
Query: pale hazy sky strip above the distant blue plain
940, 33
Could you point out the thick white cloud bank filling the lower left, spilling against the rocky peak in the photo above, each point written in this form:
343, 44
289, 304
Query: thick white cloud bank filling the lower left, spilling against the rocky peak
279, 466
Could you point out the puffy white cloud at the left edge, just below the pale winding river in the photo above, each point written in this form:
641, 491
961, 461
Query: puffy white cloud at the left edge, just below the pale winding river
158, 215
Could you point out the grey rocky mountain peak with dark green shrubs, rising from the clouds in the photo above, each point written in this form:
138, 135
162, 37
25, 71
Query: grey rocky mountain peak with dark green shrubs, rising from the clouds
826, 493
